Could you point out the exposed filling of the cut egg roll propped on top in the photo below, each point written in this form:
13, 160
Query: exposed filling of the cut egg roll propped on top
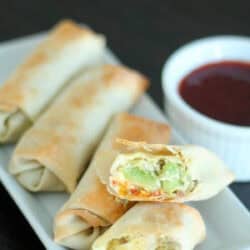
146, 175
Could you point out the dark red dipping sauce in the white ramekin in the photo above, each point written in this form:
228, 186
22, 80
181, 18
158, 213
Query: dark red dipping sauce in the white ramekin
220, 91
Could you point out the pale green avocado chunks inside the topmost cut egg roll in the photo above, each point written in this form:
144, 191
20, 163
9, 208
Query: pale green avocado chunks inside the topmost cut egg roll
154, 175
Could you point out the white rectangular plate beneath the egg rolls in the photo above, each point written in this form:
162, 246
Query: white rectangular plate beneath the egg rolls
227, 221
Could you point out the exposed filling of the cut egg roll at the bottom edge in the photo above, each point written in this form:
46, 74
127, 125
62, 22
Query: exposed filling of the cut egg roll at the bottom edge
139, 242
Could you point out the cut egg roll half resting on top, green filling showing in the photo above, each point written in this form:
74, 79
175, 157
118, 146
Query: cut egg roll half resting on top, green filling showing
151, 172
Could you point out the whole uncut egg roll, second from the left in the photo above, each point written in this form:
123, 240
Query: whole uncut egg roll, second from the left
52, 155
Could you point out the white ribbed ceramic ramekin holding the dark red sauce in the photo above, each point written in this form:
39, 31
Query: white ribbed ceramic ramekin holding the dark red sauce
230, 142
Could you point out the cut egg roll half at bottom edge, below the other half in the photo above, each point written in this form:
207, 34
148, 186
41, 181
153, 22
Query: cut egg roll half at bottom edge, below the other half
154, 226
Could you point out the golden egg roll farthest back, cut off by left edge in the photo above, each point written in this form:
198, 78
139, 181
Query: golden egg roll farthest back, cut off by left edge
32, 86
